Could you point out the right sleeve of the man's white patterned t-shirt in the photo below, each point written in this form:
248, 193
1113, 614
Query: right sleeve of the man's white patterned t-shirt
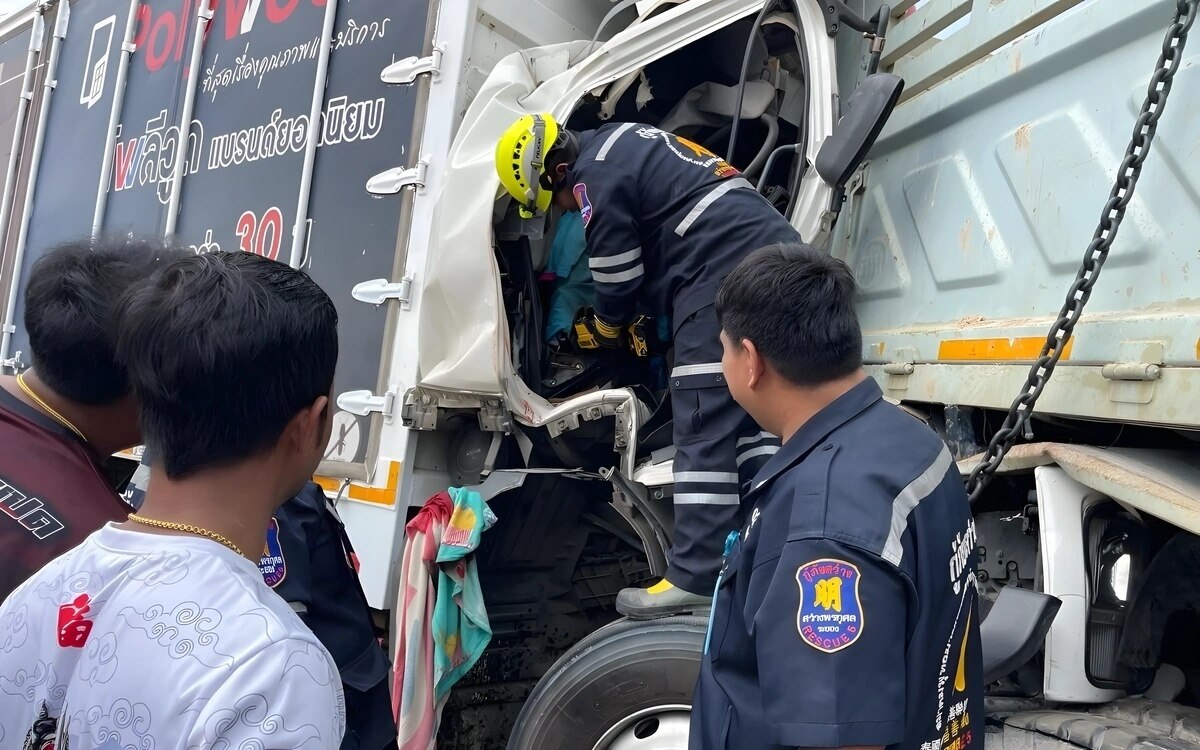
287, 697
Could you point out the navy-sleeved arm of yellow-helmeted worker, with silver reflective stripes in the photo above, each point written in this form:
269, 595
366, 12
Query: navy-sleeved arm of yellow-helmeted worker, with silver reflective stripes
608, 199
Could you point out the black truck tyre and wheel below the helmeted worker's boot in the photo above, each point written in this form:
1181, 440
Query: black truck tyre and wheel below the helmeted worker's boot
626, 687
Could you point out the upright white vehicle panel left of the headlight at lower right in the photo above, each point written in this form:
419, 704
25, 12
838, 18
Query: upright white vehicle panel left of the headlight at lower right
1063, 503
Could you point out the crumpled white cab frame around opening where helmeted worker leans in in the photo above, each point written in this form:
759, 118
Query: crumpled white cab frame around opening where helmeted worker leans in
465, 344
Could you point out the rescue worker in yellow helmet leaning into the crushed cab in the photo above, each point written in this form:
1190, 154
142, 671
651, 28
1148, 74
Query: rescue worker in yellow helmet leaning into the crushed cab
665, 221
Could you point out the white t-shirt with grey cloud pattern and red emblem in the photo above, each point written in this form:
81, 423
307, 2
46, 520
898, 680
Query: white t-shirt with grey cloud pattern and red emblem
148, 641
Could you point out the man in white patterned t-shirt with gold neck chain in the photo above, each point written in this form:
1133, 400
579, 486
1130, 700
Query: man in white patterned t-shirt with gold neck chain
160, 632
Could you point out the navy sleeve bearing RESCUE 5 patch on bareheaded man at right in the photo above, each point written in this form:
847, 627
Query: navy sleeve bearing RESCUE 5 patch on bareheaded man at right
830, 633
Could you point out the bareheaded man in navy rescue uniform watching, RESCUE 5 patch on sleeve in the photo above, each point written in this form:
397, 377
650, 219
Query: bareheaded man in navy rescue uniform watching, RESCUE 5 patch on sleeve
847, 613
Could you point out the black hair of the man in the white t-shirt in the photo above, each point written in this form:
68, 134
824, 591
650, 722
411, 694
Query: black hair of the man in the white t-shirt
224, 350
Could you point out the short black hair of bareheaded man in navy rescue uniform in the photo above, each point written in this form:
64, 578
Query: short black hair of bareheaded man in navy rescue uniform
797, 305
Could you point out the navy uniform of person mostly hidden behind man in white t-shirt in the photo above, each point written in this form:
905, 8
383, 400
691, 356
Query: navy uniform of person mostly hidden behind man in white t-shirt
309, 561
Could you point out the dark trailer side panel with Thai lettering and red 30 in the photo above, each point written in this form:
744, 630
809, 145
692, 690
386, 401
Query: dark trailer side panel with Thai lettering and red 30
244, 158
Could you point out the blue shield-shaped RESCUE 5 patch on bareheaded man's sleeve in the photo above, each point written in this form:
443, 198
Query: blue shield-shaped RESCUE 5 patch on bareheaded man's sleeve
831, 614
